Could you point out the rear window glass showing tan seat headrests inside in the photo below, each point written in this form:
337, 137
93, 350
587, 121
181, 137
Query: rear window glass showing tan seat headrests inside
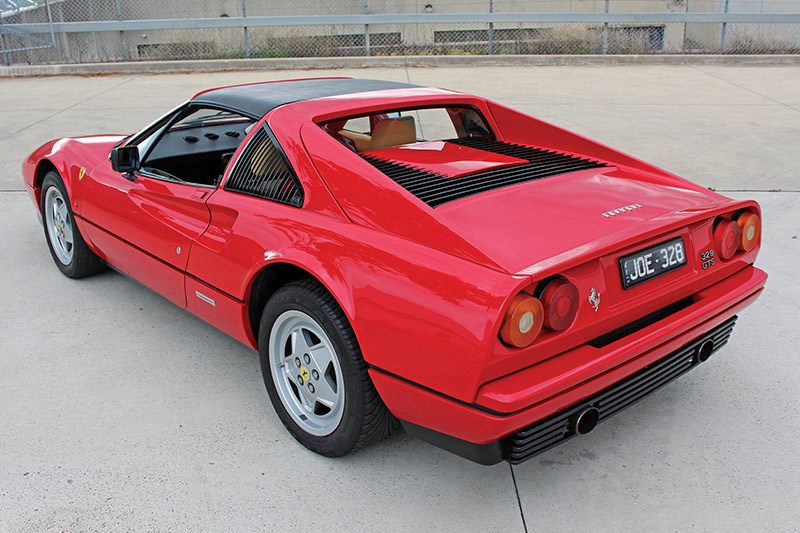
408, 126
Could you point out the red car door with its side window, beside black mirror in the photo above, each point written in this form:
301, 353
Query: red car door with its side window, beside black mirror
145, 222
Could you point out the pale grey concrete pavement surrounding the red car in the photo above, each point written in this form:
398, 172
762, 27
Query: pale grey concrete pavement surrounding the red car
119, 411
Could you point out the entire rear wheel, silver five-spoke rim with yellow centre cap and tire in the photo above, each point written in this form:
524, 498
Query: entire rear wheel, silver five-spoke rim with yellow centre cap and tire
315, 375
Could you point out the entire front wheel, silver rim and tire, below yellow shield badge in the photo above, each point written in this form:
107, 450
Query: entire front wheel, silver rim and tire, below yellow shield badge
70, 252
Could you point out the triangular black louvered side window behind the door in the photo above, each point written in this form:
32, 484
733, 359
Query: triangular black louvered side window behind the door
263, 171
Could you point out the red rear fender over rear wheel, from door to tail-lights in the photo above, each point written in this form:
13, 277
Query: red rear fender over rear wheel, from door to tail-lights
408, 304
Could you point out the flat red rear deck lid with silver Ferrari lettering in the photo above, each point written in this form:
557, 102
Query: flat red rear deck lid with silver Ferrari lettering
550, 220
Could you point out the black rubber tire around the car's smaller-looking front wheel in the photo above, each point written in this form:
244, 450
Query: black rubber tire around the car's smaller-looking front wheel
78, 261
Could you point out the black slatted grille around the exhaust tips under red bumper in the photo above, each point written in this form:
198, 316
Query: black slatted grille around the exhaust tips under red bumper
545, 434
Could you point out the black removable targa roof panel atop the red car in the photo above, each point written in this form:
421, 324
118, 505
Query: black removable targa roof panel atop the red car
258, 99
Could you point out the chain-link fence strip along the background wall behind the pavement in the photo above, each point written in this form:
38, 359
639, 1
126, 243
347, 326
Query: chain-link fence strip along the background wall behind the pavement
134, 30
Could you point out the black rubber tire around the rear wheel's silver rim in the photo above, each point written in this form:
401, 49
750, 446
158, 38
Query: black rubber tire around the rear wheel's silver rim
365, 419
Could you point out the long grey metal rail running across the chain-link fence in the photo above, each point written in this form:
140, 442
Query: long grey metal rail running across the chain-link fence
406, 18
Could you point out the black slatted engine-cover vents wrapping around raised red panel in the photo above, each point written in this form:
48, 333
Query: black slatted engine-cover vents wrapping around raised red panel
436, 189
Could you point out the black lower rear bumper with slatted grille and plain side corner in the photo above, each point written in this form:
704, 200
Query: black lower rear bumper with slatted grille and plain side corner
543, 435
